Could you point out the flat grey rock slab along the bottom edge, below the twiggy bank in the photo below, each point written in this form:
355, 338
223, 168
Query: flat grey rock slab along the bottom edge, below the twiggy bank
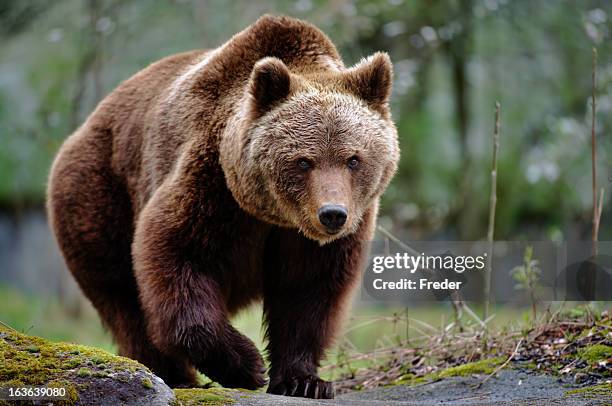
510, 386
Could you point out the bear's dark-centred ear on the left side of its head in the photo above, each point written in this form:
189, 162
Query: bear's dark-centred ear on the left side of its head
270, 84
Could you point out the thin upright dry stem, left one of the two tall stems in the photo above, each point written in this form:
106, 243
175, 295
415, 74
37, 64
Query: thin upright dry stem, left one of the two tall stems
492, 206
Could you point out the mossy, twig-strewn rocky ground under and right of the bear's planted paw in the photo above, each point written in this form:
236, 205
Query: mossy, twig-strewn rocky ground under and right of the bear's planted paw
565, 358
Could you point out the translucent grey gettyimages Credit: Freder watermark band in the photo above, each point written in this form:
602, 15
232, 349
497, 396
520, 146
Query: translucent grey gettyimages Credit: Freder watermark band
433, 271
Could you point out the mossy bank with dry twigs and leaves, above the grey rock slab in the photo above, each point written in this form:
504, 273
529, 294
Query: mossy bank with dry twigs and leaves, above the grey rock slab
574, 346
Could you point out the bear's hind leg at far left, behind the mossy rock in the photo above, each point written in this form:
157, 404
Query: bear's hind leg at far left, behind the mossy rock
91, 216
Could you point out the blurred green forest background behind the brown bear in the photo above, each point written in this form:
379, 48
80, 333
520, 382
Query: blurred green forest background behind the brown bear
453, 59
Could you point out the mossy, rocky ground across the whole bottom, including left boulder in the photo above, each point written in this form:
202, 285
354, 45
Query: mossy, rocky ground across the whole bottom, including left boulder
562, 359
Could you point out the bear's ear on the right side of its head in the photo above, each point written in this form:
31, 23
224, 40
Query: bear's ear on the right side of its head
371, 80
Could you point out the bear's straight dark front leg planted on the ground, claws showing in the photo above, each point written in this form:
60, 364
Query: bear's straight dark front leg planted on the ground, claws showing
307, 287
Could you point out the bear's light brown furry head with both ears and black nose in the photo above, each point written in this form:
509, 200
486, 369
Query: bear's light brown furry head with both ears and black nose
312, 150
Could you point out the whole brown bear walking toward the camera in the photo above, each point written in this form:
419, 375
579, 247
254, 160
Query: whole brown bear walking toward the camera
212, 179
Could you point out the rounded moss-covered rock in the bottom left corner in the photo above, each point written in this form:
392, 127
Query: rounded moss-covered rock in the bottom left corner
90, 375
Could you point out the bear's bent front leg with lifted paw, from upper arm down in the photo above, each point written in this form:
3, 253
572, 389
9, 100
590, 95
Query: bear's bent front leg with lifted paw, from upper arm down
184, 304
